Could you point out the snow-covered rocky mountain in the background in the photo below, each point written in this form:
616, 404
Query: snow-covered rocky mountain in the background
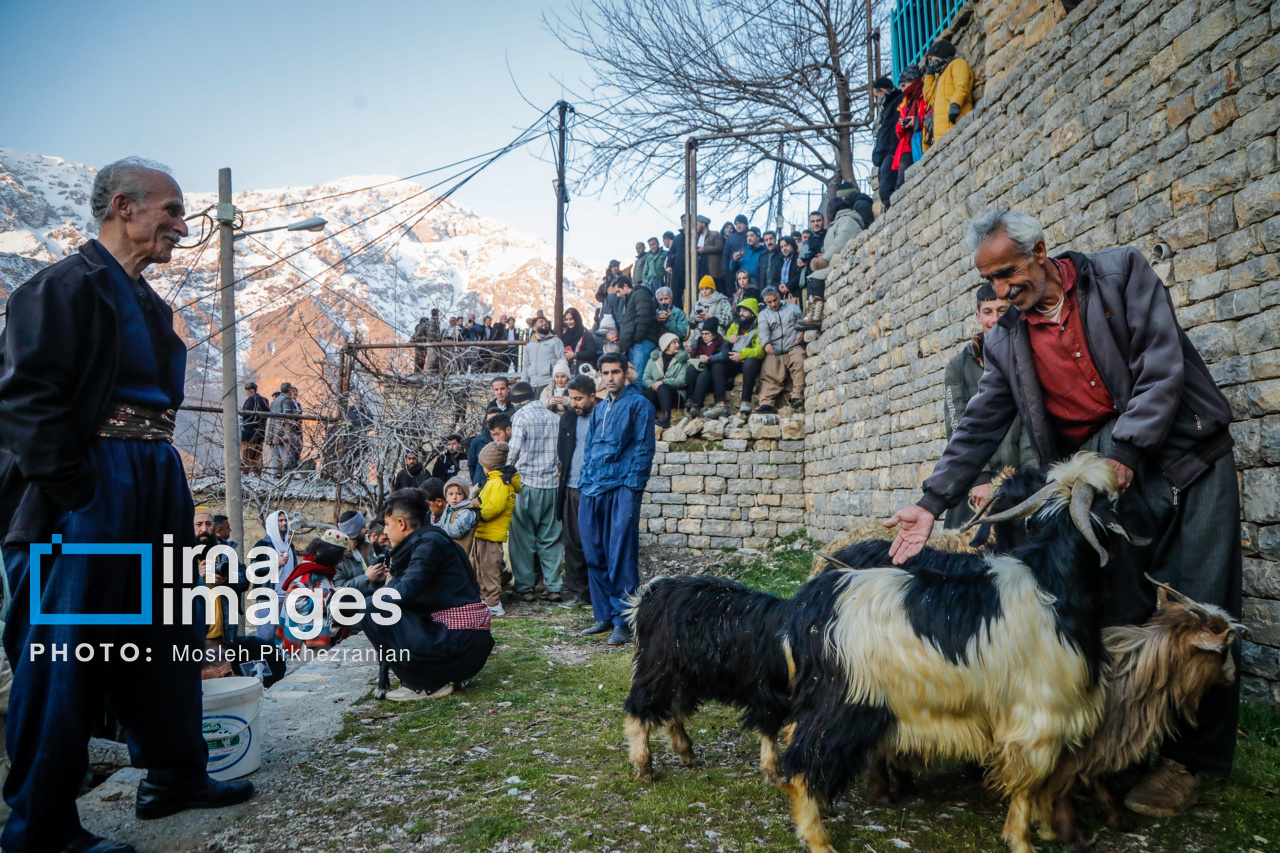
387, 257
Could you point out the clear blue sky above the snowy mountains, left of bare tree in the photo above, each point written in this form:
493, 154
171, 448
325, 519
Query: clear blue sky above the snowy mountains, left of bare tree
295, 94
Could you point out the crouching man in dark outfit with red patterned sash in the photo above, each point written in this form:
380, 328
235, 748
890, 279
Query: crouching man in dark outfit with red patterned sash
444, 624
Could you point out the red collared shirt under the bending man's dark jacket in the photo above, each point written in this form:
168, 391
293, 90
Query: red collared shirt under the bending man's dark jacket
1077, 402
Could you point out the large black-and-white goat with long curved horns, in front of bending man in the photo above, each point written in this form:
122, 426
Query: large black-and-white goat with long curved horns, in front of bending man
989, 658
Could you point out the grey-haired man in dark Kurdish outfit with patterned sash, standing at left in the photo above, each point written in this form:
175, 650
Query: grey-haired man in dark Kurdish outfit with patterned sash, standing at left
92, 376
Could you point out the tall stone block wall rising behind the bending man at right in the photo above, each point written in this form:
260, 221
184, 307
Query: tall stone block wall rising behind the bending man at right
1131, 122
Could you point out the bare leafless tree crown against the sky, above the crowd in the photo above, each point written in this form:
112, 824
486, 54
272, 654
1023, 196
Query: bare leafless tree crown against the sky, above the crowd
668, 70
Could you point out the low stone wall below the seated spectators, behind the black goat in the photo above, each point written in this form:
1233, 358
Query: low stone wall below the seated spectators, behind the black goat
725, 485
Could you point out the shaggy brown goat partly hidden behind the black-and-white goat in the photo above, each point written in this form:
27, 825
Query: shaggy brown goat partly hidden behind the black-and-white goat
1159, 673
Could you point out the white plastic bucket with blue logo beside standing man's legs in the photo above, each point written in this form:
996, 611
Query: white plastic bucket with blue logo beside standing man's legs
232, 727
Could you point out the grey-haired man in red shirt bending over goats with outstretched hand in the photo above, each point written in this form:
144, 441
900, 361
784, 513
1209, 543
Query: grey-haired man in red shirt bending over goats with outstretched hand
1092, 358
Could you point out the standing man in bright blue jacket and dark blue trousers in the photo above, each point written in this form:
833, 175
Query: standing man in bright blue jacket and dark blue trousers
615, 473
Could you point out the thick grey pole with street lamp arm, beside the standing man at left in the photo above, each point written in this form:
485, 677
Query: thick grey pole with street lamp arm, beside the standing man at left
231, 419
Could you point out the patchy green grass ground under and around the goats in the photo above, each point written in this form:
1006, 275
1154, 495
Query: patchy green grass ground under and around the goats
534, 752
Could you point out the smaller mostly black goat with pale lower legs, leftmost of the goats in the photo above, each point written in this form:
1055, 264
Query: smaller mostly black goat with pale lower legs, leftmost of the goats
705, 638
